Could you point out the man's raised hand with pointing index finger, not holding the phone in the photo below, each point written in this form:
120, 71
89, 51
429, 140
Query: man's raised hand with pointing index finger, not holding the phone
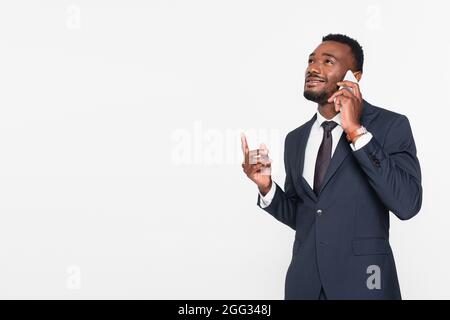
257, 166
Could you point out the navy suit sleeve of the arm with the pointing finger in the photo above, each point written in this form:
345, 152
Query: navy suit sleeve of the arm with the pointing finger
283, 206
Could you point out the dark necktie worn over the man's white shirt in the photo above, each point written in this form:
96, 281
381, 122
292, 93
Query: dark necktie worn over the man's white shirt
324, 155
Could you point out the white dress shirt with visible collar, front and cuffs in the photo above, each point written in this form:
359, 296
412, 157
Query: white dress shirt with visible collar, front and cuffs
312, 148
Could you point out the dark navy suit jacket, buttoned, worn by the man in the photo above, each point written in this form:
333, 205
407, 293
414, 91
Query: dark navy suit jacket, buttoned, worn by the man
342, 235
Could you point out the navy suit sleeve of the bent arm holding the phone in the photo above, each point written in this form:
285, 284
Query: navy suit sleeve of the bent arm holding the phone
393, 169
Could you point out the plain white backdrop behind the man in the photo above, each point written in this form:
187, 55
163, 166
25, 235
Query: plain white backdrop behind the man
120, 170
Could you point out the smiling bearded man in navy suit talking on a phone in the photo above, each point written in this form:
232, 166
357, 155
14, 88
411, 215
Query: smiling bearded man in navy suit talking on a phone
346, 168
